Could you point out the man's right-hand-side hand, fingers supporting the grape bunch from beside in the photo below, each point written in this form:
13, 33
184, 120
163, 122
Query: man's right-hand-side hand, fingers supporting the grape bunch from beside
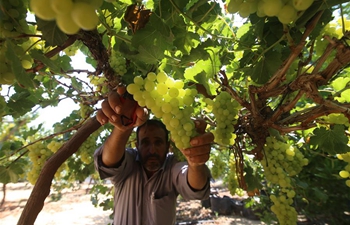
199, 152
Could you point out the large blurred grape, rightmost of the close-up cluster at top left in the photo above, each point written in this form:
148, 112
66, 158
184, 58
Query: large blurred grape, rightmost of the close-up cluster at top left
84, 15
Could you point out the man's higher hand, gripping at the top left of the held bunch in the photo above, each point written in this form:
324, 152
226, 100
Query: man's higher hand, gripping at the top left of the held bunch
114, 108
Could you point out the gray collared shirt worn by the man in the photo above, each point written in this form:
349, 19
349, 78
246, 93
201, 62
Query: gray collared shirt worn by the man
139, 200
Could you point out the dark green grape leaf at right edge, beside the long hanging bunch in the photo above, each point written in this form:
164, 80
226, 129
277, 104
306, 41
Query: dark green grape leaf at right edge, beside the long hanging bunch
333, 141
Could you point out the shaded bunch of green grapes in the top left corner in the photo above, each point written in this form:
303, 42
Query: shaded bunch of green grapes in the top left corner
13, 19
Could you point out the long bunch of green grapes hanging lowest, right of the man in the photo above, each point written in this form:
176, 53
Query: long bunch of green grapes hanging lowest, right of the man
282, 161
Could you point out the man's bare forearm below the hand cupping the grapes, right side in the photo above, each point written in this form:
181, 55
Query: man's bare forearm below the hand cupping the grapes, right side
197, 176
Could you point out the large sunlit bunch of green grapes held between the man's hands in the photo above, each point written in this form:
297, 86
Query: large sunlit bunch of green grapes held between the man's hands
169, 100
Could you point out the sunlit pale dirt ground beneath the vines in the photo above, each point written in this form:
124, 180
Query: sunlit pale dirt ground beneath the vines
76, 208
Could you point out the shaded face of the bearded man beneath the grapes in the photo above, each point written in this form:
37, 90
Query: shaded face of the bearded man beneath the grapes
152, 147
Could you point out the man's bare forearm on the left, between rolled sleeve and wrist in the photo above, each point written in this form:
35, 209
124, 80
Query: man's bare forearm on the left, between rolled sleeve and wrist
114, 147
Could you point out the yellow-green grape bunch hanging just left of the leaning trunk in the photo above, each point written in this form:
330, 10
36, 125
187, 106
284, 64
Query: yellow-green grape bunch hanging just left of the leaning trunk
38, 154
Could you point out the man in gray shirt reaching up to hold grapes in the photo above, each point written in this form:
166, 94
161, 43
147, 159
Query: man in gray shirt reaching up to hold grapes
148, 180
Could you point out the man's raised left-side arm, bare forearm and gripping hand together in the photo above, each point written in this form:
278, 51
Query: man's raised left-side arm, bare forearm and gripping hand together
112, 111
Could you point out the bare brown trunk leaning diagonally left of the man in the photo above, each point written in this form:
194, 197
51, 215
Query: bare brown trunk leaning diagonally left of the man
41, 189
